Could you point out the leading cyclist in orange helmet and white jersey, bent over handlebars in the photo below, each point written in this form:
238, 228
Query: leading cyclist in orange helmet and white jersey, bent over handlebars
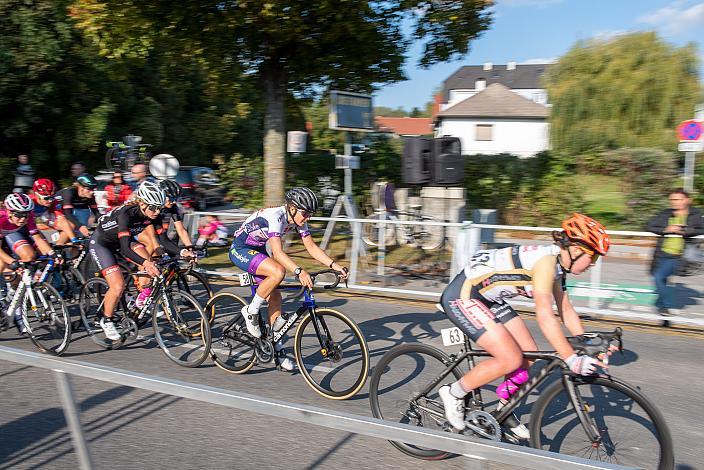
475, 301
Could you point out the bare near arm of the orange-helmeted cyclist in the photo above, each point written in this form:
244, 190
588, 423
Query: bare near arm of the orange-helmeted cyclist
543, 280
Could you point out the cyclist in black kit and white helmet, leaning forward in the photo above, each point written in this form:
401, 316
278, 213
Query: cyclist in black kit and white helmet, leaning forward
116, 231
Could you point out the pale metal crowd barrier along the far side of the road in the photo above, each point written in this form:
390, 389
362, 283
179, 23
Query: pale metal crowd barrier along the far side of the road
467, 241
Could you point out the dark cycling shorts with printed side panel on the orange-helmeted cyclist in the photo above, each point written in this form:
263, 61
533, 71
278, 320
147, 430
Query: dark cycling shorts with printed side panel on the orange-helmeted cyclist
472, 312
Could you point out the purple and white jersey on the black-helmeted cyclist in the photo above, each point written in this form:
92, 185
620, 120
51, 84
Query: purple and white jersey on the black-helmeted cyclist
265, 224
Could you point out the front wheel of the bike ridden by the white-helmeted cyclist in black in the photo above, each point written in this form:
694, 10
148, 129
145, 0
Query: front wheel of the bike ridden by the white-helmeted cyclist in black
181, 328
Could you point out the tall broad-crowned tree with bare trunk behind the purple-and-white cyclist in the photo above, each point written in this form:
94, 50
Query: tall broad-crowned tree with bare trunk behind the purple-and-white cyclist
291, 47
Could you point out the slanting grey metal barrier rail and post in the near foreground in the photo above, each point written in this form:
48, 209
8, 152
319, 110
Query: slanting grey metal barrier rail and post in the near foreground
480, 452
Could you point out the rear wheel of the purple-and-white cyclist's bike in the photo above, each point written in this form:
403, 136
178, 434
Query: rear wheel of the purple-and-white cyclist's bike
232, 348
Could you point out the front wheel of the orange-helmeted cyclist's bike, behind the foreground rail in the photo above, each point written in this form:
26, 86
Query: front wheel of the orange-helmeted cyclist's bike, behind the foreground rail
632, 432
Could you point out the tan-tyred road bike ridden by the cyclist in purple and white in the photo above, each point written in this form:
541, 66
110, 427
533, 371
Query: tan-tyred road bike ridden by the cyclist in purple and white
330, 349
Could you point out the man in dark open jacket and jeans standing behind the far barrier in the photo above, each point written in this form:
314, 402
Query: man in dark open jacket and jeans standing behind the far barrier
676, 225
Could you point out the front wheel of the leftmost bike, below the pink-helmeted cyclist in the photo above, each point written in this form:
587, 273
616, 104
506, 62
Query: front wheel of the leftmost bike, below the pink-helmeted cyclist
47, 321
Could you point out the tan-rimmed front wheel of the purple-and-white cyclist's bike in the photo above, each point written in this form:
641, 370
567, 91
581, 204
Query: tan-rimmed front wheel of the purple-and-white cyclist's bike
332, 354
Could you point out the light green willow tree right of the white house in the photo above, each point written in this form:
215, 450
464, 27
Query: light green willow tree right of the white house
630, 91
